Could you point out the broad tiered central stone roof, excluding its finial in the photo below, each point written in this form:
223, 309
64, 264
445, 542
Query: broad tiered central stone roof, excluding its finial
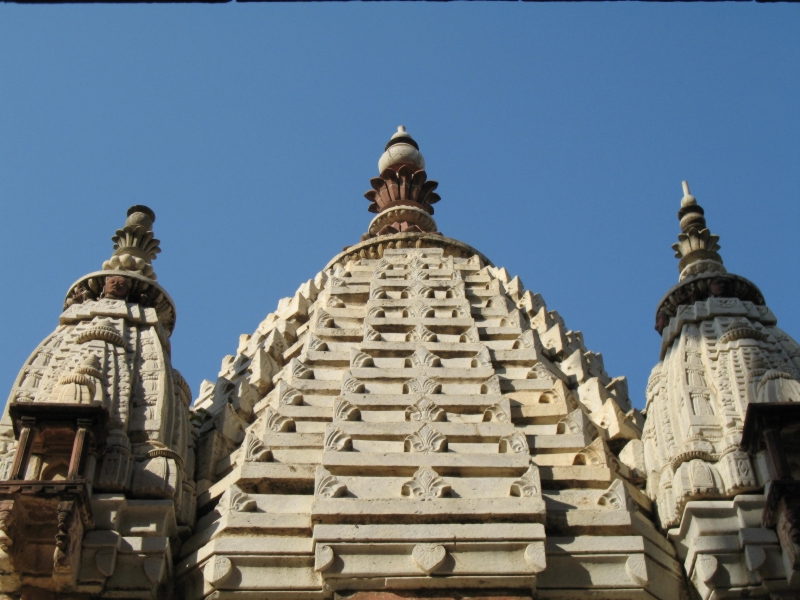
415, 419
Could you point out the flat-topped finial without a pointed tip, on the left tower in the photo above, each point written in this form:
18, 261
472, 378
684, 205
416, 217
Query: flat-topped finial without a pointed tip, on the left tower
135, 247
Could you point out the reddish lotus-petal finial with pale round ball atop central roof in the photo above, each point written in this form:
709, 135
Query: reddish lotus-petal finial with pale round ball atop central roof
402, 194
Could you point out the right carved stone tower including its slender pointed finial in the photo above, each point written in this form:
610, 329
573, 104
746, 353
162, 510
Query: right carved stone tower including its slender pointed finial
725, 369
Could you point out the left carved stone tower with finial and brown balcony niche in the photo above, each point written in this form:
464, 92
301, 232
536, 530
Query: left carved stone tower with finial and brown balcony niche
98, 474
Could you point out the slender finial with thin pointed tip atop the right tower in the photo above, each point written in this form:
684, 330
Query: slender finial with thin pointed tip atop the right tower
697, 246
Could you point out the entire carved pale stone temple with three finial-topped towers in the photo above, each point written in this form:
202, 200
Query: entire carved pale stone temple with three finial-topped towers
412, 423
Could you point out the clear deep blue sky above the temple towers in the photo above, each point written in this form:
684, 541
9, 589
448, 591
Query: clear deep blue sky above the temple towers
559, 133
